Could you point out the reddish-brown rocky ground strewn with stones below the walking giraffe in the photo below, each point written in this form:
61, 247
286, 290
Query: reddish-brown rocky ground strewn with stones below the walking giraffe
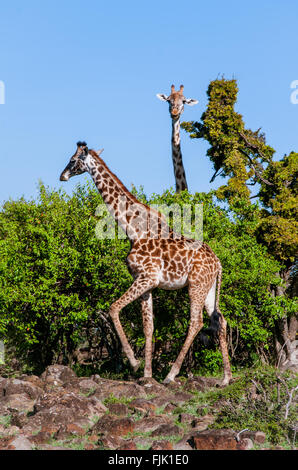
59, 410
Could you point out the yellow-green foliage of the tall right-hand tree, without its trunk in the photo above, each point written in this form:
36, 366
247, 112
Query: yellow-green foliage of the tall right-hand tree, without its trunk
243, 156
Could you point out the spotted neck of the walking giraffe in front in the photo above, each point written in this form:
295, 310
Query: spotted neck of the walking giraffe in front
136, 219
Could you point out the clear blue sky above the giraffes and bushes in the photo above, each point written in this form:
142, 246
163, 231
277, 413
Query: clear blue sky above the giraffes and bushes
91, 70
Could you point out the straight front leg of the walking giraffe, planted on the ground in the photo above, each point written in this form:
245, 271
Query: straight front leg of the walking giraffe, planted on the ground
147, 313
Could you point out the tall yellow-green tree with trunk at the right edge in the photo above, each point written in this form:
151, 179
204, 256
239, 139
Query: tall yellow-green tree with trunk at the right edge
244, 158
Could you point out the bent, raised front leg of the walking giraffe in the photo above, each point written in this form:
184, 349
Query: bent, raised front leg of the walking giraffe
140, 286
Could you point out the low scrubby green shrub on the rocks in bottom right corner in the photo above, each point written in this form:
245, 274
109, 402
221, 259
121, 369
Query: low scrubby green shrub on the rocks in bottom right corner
259, 401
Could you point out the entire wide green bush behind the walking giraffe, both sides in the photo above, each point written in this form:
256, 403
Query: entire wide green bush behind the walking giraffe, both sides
58, 280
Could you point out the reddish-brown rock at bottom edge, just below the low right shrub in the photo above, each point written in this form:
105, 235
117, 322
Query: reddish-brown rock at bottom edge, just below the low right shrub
214, 439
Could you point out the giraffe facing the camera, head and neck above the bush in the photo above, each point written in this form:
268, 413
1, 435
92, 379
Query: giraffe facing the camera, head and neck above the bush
176, 102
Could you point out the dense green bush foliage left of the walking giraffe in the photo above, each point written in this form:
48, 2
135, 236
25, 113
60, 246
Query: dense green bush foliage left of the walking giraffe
54, 274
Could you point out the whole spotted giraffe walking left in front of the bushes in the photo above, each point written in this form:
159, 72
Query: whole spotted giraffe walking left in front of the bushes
158, 257
